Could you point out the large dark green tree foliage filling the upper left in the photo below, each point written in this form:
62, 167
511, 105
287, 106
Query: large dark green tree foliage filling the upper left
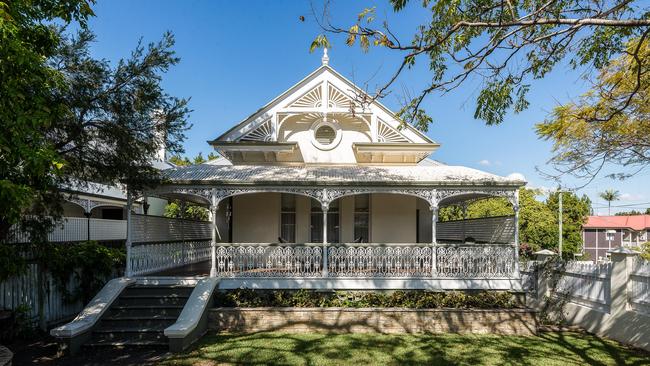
69, 119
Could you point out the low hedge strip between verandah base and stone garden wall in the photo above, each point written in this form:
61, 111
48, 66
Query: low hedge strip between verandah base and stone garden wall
365, 299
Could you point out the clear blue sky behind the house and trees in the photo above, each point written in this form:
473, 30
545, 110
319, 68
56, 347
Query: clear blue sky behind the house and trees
236, 56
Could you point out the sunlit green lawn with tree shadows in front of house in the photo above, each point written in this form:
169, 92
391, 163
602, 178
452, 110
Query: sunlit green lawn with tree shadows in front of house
371, 349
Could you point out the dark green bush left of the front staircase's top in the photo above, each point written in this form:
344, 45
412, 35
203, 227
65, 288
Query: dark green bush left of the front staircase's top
89, 264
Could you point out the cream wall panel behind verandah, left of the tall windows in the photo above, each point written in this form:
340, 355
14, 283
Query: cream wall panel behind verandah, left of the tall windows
256, 218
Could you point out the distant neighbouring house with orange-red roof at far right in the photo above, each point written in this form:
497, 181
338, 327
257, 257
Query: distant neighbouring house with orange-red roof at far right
602, 233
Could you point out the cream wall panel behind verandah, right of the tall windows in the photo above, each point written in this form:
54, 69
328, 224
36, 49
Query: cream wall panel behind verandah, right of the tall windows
392, 218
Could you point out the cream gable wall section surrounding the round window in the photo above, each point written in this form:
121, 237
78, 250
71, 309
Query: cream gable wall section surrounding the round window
298, 130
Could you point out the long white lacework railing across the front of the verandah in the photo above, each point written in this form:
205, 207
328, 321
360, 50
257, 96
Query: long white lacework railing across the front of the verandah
475, 261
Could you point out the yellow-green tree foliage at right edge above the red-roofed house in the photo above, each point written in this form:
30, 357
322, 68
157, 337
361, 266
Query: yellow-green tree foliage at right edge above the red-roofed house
609, 124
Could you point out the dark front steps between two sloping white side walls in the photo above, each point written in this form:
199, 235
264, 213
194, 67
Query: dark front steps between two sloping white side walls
139, 316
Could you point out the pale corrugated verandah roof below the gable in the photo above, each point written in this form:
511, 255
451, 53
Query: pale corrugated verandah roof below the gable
439, 175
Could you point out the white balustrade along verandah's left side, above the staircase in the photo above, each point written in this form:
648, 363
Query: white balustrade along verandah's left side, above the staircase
155, 257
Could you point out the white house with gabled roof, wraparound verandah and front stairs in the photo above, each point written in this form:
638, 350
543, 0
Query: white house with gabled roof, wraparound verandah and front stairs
311, 192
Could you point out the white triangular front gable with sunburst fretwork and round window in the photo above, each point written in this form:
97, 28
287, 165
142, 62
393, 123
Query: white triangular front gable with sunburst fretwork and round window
318, 122
